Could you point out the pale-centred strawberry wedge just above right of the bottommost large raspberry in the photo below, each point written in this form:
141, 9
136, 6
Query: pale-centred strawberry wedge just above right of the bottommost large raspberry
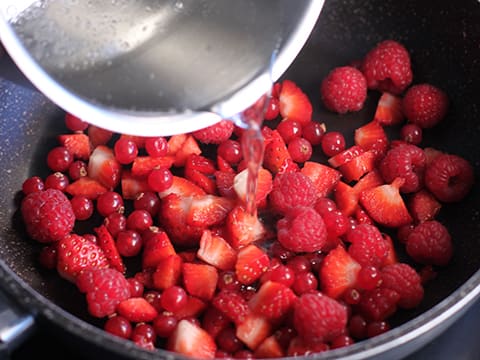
338, 272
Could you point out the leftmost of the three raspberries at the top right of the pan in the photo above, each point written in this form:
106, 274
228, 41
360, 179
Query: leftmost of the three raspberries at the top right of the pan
344, 89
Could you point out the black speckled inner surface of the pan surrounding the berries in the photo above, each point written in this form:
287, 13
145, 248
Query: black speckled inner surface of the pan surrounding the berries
443, 38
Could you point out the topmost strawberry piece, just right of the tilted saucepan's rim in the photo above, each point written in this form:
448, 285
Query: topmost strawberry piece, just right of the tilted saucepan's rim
294, 104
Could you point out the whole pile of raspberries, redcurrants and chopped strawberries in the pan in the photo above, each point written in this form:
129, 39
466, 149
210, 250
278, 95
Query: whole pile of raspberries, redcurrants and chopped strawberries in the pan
314, 268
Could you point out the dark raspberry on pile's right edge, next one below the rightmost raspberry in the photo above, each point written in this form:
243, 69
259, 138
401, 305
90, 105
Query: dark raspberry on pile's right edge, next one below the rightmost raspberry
430, 243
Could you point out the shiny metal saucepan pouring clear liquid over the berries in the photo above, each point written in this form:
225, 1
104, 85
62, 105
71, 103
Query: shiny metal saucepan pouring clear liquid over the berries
155, 67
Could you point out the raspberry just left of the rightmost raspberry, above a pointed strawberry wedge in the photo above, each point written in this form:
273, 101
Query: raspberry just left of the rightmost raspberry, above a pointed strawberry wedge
405, 161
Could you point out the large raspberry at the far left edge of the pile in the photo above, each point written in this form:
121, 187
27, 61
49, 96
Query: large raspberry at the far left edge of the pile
48, 215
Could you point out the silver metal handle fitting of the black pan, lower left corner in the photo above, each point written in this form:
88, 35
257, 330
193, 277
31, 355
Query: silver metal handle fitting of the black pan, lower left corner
16, 325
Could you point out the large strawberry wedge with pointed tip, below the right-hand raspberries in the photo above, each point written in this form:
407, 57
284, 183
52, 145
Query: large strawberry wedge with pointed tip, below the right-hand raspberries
385, 205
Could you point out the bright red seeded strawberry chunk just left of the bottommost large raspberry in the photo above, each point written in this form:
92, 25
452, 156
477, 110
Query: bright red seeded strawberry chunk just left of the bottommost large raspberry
273, 300
